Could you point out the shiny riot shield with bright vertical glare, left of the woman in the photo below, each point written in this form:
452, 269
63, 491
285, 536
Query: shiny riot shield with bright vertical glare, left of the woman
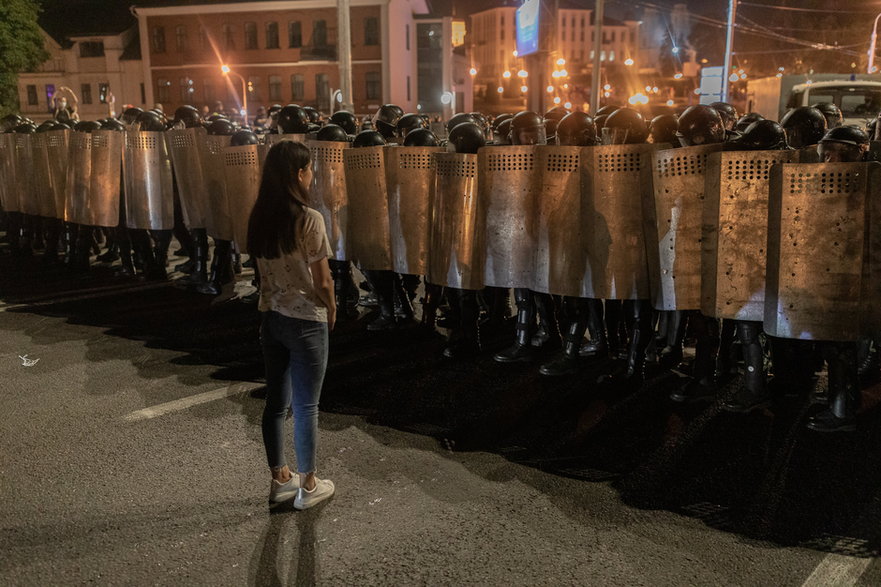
149, 200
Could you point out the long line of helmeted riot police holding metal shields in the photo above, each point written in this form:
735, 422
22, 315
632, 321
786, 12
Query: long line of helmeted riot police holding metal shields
608, 230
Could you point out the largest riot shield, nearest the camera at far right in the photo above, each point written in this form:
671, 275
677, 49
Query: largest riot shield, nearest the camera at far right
823, 251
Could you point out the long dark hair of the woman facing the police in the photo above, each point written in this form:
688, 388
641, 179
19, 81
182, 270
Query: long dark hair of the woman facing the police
279, 209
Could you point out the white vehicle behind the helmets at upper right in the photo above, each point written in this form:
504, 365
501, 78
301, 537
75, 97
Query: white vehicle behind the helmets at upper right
859, 99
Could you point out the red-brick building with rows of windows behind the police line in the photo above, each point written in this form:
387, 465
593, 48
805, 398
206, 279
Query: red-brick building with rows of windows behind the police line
278, 52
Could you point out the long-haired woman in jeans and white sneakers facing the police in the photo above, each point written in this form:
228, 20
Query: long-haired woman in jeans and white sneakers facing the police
289, 242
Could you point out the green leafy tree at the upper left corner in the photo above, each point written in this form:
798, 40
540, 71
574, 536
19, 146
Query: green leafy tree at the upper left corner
21, 48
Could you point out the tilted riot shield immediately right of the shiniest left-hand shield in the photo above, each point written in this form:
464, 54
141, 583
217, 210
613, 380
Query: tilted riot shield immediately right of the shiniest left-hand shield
185, 147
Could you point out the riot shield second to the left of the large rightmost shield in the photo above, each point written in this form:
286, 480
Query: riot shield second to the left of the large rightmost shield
673, 217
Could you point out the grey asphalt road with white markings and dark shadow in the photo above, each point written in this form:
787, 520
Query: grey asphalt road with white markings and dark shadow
446, 474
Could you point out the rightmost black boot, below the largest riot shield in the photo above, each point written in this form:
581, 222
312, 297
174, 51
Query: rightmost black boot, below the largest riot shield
844, 392
